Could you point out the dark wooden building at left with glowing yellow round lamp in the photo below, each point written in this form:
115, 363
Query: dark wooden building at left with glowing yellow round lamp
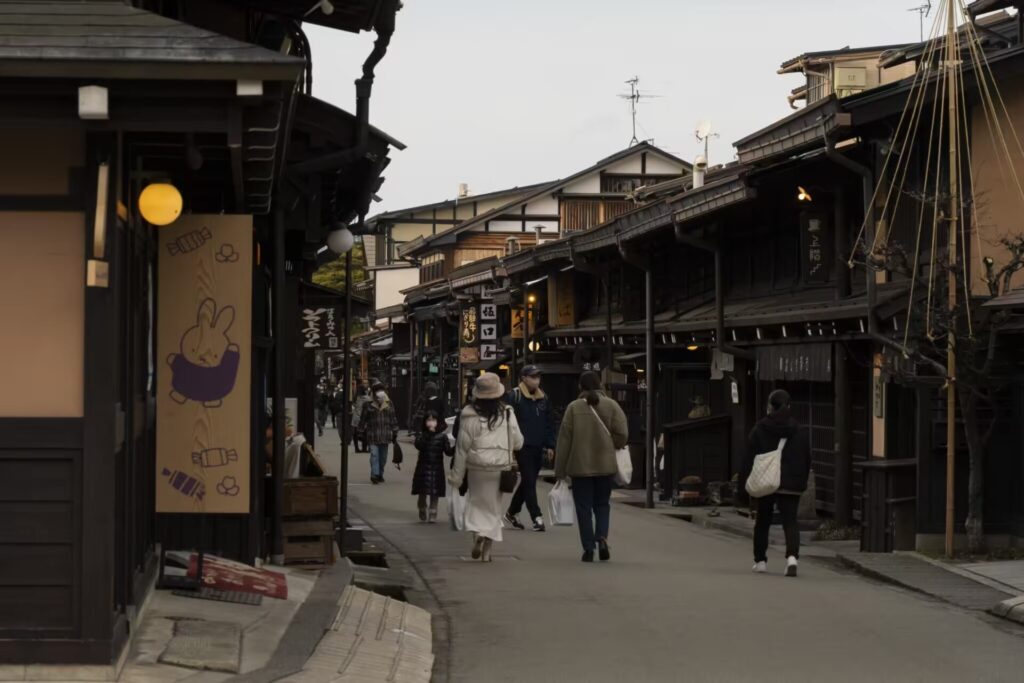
119, 117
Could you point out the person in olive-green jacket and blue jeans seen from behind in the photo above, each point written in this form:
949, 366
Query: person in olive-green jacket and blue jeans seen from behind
593, 429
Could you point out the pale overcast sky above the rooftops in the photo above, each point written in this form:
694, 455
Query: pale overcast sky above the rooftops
498, 94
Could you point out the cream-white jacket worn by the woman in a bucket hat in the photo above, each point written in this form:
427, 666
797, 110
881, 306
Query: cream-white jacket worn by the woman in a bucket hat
481, 448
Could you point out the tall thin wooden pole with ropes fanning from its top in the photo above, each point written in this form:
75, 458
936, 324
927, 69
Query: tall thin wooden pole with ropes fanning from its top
952, 62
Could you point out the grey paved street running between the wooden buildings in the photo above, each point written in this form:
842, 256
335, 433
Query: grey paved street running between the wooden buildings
675, 604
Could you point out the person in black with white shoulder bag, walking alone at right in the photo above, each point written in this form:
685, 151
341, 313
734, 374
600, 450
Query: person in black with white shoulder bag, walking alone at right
796, 466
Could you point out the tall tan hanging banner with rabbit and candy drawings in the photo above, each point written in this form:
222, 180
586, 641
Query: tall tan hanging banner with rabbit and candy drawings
204, 323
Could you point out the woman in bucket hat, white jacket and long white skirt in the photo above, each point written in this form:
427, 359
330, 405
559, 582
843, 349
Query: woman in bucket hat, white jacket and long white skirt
489, 436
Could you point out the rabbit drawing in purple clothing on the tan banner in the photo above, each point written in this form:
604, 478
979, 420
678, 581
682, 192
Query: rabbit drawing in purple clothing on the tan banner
208, 365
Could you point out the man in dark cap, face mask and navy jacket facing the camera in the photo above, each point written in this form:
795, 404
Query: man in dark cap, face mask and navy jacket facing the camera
533, 412
